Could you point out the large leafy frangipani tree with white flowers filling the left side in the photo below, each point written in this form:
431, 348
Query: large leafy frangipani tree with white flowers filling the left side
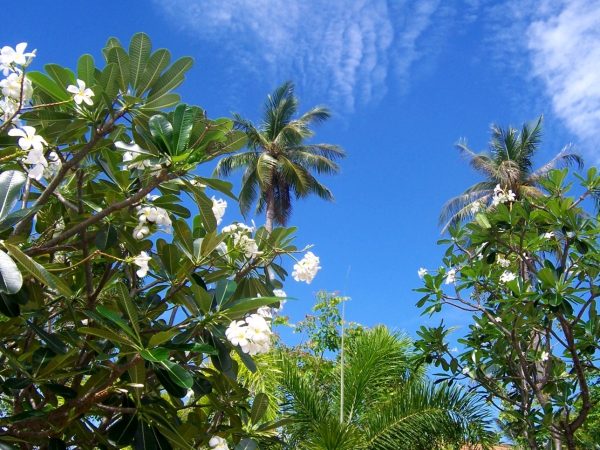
109, 328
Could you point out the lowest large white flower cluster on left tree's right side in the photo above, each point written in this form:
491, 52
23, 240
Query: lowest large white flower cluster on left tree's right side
253, 335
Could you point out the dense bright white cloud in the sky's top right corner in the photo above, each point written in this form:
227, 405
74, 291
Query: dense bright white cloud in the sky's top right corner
565, 52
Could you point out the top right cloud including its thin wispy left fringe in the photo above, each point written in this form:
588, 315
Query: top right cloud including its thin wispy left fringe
553, 46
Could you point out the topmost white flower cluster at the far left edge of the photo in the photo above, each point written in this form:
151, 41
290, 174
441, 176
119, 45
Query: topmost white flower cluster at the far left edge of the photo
16, 89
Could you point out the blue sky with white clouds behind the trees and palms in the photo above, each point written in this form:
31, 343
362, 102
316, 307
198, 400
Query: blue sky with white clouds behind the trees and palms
405, 79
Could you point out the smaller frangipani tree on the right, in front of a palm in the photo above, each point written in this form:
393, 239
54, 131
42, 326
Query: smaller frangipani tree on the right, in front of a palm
527, 275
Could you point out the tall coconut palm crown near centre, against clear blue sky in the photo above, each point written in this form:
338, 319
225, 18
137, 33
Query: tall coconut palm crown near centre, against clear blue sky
278, 162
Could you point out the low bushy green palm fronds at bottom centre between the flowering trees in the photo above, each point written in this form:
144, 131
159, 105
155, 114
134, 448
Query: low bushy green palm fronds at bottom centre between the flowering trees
387, 404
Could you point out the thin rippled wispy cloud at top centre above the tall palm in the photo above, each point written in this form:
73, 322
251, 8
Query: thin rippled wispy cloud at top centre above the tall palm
347, 49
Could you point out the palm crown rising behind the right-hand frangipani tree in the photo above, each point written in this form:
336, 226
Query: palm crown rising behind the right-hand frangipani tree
509, 163
